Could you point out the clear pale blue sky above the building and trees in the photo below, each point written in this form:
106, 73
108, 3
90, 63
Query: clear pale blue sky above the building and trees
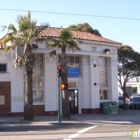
121, 30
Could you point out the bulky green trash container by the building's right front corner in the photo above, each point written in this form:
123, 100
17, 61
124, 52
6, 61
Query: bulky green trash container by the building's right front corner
110, 108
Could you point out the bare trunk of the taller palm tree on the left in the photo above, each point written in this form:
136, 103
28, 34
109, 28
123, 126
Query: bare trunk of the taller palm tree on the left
28, 95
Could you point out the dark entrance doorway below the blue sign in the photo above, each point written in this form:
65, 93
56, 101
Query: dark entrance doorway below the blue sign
73, 101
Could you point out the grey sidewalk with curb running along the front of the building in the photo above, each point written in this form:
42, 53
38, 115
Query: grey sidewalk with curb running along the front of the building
124, 116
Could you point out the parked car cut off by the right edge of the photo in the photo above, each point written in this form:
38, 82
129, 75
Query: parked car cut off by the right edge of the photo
134, 102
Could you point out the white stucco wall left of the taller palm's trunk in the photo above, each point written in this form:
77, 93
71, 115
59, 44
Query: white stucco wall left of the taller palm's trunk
16, 79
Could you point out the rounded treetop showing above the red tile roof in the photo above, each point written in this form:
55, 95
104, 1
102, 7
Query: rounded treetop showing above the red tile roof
85, 27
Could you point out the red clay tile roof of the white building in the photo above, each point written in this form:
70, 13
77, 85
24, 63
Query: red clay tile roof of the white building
55, 32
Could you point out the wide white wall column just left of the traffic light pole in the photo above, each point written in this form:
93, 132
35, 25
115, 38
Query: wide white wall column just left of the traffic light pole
51, 86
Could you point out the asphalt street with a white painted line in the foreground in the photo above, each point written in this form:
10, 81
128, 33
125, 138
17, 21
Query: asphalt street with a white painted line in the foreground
104, 131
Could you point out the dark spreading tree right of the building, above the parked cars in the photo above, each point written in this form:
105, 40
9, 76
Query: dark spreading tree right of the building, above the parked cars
128, 67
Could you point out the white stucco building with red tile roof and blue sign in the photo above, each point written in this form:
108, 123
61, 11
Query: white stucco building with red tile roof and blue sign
92, 77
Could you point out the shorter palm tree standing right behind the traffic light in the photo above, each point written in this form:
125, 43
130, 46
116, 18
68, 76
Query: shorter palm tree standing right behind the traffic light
65, 41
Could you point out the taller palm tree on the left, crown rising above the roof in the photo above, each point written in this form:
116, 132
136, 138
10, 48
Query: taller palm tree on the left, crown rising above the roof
28, 32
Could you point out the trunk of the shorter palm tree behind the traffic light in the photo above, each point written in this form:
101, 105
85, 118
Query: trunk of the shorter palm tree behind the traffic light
64, 79
